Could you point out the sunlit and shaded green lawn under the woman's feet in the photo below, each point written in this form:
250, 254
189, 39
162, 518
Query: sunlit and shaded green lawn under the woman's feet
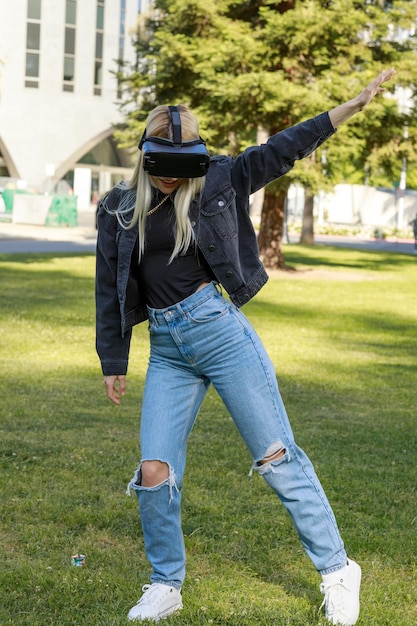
342, 333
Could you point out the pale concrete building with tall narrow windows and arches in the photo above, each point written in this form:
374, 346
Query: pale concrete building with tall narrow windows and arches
58, 96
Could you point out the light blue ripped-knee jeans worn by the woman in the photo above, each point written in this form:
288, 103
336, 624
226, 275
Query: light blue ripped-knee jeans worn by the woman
202, 340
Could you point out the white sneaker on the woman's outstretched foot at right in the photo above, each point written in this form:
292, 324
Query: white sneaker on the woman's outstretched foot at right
341, 594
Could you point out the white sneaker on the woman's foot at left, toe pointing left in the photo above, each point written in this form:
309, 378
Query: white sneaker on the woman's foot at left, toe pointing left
158, 601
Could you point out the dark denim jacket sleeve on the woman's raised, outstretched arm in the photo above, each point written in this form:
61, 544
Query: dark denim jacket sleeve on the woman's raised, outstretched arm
259, 165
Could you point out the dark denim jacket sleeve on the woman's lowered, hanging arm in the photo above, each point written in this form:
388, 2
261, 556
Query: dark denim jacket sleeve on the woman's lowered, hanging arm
112, 348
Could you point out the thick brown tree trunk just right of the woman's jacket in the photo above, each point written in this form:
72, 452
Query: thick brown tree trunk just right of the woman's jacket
271, 229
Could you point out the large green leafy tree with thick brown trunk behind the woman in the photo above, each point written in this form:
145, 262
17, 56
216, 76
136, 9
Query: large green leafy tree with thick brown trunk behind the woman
243, 65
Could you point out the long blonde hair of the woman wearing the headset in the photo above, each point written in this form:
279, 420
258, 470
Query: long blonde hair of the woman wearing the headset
159, 124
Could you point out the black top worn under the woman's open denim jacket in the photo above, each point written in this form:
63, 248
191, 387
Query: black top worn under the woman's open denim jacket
168, 283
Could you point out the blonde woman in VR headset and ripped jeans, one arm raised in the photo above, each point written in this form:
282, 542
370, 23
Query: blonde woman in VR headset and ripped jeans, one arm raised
166, 242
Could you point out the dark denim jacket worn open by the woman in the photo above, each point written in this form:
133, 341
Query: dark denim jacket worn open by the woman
223, 232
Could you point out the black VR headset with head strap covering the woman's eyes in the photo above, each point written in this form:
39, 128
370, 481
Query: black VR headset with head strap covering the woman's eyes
174, 158
